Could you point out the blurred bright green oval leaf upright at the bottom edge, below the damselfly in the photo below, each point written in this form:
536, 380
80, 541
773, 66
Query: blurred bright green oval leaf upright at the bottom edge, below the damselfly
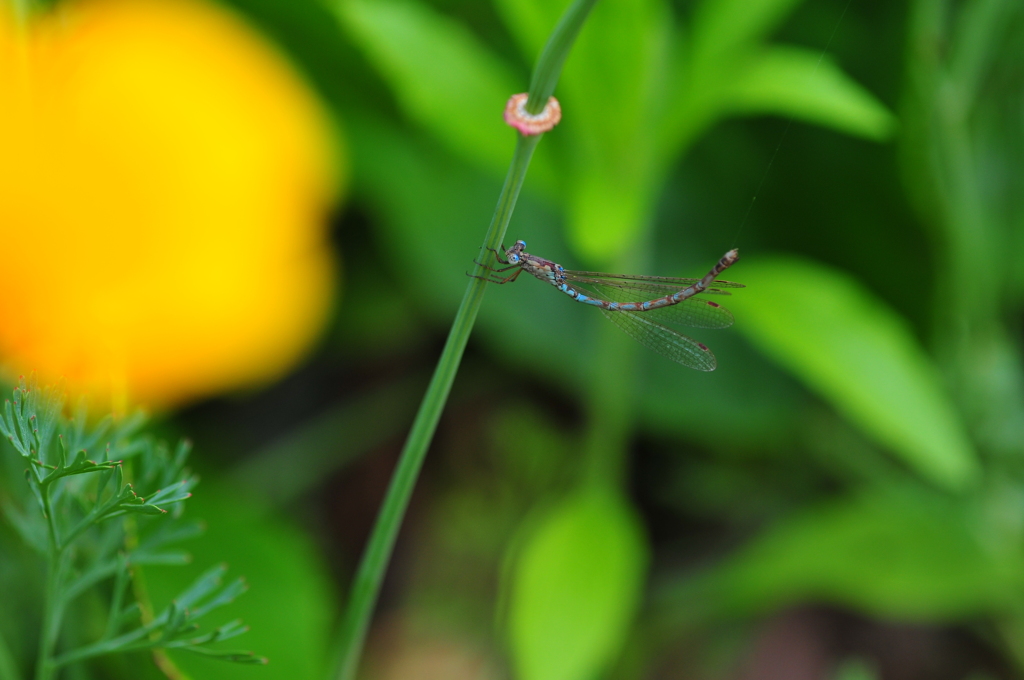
576, 588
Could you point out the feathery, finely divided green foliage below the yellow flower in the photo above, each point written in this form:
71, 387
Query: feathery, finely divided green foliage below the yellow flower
95, 520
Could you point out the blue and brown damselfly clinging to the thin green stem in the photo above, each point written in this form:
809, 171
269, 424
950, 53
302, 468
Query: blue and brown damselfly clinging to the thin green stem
661, 301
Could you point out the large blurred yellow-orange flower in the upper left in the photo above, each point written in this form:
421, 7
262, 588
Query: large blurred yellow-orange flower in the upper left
164, 186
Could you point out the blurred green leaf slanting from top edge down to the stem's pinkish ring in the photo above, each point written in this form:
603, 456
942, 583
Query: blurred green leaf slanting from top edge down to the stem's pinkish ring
443, 76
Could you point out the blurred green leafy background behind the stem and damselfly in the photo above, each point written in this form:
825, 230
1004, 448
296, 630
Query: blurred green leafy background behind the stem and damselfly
843, 498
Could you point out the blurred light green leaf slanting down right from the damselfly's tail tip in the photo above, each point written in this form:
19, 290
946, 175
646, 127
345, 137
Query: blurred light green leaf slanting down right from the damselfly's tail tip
860, 355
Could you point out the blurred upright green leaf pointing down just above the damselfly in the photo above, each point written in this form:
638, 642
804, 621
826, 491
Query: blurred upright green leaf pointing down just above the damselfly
613, 96
